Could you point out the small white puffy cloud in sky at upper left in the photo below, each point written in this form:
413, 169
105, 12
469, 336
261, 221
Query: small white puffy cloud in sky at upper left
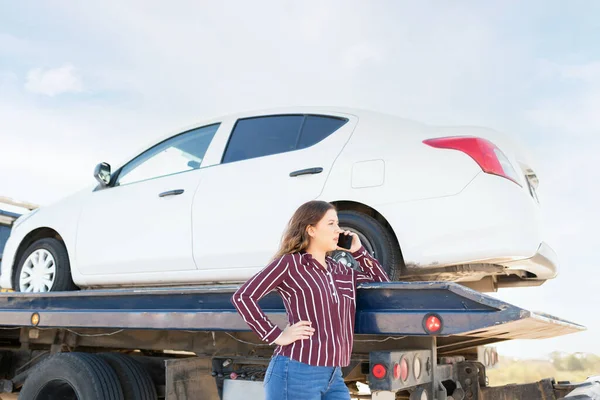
52, 82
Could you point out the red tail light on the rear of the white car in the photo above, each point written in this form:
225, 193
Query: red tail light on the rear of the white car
489, 157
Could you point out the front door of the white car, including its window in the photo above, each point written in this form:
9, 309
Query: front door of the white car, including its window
142, 222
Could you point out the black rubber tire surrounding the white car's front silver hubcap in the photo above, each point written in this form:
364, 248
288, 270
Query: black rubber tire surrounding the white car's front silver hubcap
63, 280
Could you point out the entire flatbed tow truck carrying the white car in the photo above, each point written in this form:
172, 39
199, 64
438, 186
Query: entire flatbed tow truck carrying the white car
413, 340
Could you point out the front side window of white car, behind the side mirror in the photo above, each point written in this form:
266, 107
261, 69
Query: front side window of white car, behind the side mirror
180, 153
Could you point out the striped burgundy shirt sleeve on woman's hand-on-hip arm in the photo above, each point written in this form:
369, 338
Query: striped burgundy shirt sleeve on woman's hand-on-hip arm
246, 298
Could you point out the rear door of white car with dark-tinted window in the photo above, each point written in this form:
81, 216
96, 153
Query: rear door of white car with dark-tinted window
271, 165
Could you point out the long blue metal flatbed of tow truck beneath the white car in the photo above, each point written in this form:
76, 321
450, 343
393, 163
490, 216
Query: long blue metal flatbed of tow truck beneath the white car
391, 308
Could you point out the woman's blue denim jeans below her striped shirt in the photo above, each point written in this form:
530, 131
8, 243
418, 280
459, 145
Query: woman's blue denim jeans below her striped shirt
290, 379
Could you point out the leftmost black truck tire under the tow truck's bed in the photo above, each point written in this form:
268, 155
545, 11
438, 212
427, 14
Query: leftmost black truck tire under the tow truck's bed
72, 376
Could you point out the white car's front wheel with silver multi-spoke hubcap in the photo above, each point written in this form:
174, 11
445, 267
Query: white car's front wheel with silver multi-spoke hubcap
44, 267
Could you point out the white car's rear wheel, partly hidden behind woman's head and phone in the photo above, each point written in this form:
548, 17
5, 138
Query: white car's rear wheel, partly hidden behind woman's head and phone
376, 239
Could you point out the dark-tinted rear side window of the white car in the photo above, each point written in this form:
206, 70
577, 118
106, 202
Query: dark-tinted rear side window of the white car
263, 136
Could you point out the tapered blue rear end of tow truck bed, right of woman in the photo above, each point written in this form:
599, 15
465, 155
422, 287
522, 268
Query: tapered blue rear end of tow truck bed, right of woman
386, 308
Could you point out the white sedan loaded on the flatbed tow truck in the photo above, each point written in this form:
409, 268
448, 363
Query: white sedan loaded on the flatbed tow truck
209, 205
